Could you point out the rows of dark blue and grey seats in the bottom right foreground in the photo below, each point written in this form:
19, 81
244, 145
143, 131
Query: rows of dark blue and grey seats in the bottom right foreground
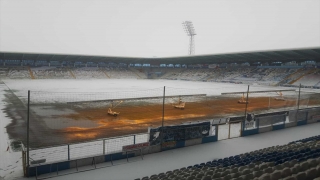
298, 160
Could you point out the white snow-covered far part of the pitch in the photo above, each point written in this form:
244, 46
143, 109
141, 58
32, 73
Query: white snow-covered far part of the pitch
122, 88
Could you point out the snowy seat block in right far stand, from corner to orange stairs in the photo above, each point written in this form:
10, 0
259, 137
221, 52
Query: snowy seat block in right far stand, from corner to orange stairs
248, 75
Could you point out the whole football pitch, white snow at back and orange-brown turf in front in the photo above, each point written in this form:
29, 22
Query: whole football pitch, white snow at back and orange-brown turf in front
73, 111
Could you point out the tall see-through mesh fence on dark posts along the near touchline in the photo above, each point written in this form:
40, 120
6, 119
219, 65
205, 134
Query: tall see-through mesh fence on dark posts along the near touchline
74, 121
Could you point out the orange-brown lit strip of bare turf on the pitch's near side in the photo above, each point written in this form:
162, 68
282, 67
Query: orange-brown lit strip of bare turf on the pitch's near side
137, 119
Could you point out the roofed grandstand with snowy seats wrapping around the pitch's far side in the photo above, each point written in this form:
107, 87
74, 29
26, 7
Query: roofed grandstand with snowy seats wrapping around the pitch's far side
282, 67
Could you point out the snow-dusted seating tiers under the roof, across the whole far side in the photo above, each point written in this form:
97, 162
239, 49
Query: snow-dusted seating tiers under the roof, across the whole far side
290, 76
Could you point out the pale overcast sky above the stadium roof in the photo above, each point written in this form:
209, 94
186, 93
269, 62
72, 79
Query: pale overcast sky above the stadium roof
147, 28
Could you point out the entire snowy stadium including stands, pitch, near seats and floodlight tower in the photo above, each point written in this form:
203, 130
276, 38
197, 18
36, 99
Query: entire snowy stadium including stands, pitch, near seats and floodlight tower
237, 115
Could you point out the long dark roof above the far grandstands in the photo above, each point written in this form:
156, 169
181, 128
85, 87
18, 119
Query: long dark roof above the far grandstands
285, 55
